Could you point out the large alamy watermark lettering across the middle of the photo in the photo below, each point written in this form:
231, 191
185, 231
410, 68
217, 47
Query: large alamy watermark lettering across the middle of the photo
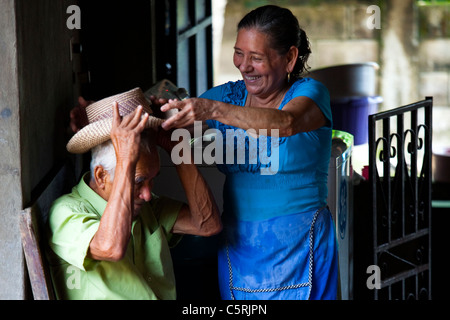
241, 147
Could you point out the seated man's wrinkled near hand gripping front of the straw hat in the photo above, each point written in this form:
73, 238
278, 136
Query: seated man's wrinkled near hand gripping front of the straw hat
126, 134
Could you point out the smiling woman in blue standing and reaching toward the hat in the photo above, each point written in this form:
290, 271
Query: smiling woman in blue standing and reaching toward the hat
279, 240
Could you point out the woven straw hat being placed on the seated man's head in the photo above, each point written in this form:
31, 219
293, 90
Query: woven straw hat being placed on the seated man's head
100, 116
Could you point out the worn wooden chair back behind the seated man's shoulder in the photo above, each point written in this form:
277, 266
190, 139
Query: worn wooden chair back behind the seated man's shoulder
32, 223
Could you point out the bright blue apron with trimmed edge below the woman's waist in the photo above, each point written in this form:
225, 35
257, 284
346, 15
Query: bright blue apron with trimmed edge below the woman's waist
291, 257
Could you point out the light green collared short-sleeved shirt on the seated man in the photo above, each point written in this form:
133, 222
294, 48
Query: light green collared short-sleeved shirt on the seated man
146, 271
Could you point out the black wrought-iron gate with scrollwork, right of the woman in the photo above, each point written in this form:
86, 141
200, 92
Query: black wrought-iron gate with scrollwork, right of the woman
401, 199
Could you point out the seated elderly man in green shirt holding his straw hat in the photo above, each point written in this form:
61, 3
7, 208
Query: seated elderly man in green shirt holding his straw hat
110, 237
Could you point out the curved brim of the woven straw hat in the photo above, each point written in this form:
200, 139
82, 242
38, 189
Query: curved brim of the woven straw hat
99, 132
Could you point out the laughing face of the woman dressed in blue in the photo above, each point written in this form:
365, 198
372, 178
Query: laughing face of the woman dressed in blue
263, 68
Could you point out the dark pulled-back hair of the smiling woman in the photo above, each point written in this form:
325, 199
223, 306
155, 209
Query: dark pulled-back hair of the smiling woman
283, 29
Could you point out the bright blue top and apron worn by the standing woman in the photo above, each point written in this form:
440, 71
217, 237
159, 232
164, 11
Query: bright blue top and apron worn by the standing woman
279, 239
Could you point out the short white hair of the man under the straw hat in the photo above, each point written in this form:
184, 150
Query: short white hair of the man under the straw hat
105, 155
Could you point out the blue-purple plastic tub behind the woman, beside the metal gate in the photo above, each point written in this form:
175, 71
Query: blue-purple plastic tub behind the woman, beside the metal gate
351, 115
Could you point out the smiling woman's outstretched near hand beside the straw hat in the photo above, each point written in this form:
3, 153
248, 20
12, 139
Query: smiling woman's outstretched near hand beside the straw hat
190, 110
